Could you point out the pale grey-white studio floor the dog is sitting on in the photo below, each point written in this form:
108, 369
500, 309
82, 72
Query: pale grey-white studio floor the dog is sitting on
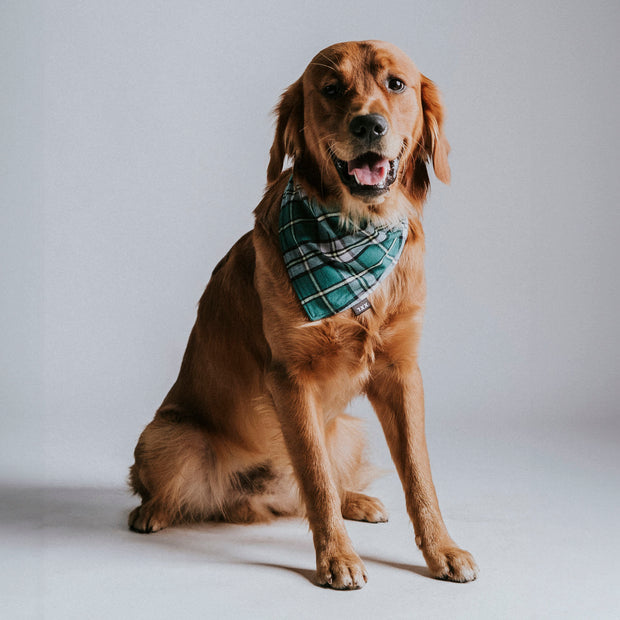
538, 507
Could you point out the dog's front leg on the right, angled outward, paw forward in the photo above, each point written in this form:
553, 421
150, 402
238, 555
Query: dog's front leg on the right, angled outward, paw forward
396, 393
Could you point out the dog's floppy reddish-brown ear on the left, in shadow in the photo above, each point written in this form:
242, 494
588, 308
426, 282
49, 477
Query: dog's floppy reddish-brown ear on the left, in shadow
289, 129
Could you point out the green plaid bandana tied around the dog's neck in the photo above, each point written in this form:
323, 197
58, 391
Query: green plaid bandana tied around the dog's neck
334, 268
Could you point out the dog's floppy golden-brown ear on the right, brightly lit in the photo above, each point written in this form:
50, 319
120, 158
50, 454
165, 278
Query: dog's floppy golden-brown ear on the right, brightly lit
432, 146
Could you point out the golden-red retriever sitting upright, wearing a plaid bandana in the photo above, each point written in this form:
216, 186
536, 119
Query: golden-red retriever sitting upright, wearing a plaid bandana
322, 301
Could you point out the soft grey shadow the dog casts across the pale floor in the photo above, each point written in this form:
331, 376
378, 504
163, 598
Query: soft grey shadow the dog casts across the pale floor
95, 516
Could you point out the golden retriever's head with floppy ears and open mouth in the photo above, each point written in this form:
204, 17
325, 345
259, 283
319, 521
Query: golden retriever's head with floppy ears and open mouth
360, 126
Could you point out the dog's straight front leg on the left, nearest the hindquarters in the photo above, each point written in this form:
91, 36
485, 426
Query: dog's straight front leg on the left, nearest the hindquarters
337, 563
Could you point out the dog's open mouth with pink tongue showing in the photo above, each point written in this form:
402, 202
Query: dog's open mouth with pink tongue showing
369, 174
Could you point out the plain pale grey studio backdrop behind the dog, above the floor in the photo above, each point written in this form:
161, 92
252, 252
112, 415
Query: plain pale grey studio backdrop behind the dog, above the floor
134, 141
